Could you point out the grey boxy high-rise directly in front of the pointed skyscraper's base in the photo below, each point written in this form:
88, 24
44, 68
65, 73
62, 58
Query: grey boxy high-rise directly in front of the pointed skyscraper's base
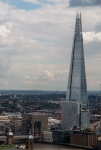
70, 114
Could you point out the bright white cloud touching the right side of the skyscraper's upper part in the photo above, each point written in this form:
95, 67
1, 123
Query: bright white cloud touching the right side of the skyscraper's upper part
92, 36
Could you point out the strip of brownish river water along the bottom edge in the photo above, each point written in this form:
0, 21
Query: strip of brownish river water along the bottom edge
38, 146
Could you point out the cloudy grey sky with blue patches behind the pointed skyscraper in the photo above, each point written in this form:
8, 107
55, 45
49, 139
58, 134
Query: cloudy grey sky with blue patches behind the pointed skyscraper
36, 39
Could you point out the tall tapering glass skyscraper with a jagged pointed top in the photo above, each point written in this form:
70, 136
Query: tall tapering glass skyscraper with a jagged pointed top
77, 88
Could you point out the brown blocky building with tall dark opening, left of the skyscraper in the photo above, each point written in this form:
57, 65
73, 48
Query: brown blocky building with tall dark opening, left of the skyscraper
36, 123
